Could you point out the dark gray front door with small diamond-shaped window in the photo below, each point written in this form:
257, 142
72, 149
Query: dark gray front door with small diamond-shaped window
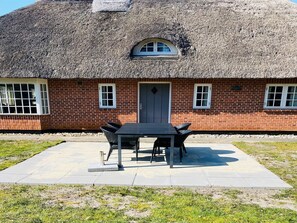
154, 103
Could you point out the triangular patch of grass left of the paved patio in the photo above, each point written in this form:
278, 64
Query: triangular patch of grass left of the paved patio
13, 152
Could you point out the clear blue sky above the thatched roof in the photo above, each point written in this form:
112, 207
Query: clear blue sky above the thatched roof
7, 6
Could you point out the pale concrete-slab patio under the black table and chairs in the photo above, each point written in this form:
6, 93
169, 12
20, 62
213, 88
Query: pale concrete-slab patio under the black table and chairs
204, 165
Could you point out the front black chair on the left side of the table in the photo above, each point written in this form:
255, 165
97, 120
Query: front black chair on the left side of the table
112, 139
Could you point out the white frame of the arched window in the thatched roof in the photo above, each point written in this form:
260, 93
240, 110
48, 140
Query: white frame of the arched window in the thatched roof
137, 49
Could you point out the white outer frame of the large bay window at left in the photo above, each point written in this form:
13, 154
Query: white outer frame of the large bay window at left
38, 98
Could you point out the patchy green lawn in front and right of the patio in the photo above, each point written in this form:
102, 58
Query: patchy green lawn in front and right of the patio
61, 203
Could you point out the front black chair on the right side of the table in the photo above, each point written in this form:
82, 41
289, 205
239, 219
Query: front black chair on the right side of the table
178, 142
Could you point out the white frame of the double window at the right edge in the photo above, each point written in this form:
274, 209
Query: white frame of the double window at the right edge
283, 98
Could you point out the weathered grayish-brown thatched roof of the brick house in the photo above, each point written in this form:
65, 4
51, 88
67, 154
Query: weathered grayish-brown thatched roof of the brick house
216, 38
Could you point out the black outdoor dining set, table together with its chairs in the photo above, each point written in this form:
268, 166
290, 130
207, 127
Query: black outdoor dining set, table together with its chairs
127, 136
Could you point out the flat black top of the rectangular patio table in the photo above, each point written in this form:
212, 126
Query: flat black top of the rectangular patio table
147, 129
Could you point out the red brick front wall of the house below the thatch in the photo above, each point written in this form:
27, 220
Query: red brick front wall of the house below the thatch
74, 105
